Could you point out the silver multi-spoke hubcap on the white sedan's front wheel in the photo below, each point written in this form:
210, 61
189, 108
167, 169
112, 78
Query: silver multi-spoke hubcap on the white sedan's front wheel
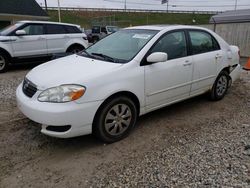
118, 119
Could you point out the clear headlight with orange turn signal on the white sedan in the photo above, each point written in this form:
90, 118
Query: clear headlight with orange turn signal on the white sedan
63, 93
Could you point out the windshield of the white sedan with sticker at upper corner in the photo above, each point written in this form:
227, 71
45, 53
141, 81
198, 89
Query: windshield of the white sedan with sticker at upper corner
121, 46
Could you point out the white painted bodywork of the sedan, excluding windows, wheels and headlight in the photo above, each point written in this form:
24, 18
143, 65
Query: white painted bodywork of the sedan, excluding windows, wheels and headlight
154, 85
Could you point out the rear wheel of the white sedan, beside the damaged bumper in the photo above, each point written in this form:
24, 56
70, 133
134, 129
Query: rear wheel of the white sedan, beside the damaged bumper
220, 86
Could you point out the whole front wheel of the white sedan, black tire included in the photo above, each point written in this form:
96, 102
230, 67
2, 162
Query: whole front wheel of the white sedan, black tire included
115, 119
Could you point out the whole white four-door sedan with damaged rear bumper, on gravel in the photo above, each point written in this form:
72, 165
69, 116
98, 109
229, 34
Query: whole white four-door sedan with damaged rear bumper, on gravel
104, 89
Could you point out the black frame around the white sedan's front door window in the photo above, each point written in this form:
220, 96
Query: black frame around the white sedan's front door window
144, 61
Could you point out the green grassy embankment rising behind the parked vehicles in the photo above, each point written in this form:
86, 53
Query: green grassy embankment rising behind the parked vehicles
125, 19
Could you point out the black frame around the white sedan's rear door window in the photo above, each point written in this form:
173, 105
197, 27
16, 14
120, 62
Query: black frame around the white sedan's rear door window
214, 41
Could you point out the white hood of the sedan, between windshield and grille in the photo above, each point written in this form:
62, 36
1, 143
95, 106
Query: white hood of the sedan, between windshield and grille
72, 69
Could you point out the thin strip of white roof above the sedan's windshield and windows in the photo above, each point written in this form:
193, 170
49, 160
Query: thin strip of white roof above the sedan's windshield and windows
166, 27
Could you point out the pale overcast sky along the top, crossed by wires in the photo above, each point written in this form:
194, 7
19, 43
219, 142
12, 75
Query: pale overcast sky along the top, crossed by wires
190, 5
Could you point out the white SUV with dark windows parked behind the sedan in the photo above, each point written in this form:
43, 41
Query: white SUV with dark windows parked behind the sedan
31, 40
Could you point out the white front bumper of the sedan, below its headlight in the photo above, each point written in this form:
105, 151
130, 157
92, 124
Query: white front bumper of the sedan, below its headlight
78, 116
